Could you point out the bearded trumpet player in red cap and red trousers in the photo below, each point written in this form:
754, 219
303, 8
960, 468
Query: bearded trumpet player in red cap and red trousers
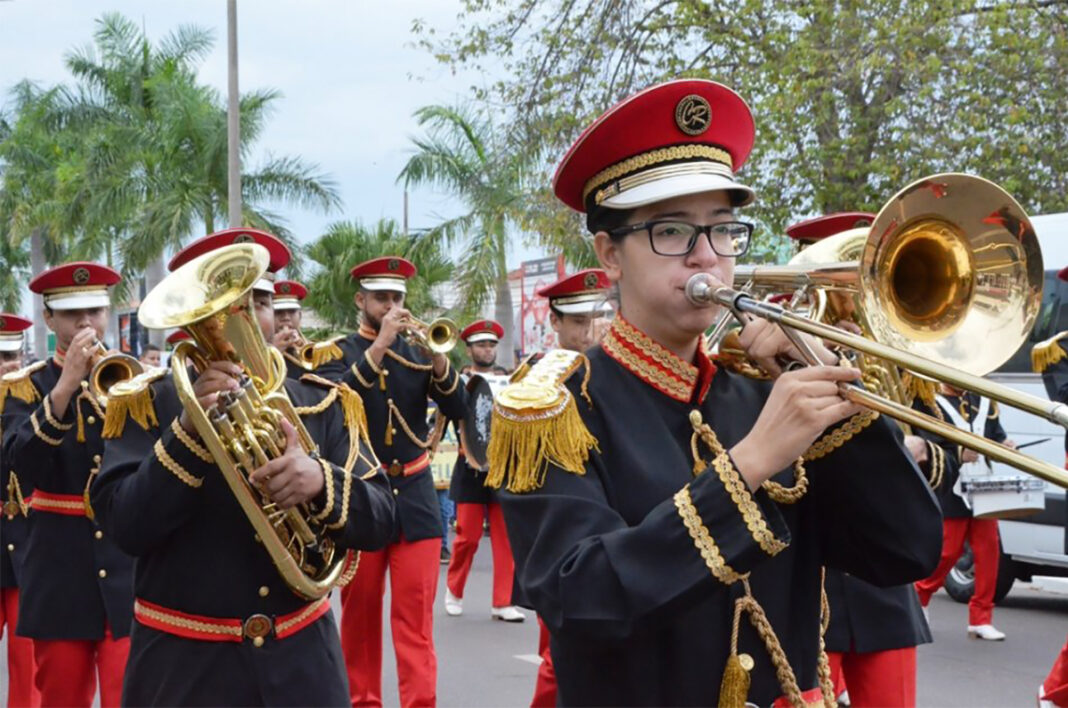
395, 379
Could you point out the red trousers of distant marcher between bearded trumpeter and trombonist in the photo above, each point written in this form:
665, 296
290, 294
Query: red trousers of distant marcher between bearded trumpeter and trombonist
469, 521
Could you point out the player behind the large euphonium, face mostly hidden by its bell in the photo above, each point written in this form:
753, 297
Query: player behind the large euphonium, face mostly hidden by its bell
216, 622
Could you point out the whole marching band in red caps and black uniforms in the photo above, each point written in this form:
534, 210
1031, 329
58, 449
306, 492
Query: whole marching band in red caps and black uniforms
688, 531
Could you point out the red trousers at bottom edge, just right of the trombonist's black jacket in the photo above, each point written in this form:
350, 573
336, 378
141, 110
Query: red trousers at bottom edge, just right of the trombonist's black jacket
876, 680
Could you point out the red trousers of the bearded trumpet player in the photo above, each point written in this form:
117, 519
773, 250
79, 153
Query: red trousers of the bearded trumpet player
414, 584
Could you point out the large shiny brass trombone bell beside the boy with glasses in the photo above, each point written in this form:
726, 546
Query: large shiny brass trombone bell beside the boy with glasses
952, 272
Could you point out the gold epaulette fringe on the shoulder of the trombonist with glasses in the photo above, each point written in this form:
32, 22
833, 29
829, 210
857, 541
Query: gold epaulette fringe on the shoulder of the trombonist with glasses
522, 449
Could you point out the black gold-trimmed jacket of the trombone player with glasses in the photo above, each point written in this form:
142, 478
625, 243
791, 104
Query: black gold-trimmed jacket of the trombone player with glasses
611, 565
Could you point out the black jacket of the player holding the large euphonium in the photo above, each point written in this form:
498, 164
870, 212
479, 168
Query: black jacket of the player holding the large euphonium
197, 554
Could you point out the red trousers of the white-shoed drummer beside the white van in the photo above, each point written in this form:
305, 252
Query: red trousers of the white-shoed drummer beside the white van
982, 536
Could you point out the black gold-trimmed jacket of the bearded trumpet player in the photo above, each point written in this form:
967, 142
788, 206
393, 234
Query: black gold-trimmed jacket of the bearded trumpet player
395, 396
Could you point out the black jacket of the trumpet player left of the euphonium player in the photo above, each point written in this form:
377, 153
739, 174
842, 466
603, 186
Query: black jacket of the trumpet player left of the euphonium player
74, 580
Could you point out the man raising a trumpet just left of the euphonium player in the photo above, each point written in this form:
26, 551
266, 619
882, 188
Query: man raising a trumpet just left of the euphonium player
76, 584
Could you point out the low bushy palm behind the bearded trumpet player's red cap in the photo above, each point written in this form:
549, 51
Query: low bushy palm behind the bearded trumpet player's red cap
347, 244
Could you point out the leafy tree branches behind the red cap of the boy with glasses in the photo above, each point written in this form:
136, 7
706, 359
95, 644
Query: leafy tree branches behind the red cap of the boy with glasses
853, 100
